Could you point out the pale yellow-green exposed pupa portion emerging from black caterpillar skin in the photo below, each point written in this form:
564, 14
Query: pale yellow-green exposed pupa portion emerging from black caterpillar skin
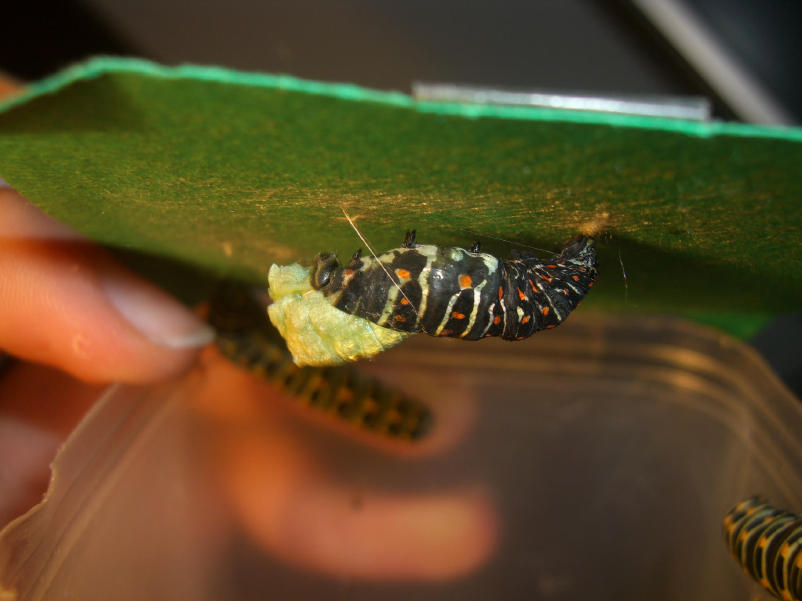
316, 333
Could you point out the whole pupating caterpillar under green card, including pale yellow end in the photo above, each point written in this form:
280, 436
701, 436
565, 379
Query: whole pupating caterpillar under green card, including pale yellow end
330, 314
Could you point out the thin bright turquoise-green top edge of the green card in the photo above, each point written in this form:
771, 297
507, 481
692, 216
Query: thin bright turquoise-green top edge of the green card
102, 65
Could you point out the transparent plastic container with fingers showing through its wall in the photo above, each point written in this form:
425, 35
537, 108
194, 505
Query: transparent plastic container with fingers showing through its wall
597, 461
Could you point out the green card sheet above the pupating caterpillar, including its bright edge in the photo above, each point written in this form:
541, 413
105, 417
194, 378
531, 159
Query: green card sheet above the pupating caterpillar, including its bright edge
229, 172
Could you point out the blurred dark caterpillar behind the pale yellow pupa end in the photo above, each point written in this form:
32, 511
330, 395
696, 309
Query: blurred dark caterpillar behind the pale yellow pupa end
245, 337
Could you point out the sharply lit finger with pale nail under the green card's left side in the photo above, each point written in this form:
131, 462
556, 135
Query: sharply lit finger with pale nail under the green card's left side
65, 302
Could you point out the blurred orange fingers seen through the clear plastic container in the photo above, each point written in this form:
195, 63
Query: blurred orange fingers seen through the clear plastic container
301, 494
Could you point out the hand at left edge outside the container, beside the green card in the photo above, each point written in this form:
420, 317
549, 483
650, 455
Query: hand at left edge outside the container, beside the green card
75, 316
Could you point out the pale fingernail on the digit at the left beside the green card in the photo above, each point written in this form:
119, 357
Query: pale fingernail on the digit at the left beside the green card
156, 315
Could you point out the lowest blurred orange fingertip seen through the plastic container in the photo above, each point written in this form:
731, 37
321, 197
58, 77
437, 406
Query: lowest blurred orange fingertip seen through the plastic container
370, 536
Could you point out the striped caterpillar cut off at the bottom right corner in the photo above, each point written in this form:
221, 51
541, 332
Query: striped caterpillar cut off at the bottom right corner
767, 543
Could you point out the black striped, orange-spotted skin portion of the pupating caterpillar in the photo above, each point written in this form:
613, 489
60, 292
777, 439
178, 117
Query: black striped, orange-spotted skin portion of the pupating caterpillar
451, 291
